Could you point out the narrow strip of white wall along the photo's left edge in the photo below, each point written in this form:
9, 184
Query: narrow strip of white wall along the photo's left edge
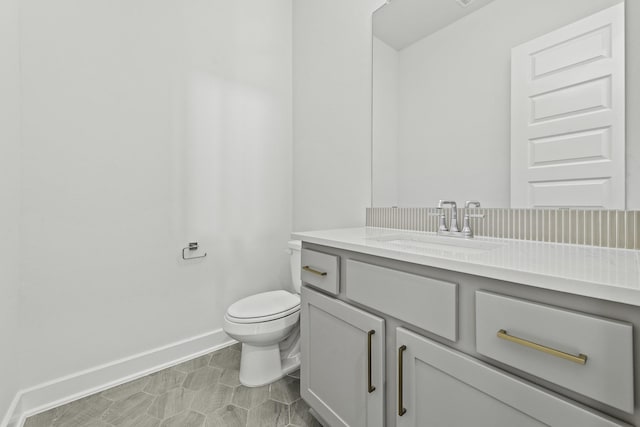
9, 201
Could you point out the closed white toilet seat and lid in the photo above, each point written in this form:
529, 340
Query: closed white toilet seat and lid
264, 307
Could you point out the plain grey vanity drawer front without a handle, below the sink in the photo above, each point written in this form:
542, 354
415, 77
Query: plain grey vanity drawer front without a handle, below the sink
424, 302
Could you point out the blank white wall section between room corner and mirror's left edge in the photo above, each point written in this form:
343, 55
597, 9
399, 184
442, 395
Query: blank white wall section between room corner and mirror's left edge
332, 112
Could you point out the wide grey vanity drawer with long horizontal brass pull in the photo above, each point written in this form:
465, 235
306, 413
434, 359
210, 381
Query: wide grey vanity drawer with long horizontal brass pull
590, 355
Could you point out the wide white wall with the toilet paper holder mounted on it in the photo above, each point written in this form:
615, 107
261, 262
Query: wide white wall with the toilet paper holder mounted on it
148, 124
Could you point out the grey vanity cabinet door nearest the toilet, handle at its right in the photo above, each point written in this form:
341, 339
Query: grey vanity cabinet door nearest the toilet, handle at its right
342, 372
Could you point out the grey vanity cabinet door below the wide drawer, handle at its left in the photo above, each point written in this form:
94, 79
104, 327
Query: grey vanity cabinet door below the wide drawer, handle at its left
440, 387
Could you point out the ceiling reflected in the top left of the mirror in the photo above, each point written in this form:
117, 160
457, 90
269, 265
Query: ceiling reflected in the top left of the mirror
402, 22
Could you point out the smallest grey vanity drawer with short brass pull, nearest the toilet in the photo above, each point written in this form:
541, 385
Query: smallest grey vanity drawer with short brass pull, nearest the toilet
321, 270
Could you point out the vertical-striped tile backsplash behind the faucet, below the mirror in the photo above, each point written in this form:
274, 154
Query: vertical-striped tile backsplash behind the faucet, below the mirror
608, 228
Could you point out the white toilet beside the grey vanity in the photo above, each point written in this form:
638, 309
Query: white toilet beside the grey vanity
267, 325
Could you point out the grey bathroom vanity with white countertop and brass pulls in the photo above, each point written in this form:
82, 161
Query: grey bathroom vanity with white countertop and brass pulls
412, 329
